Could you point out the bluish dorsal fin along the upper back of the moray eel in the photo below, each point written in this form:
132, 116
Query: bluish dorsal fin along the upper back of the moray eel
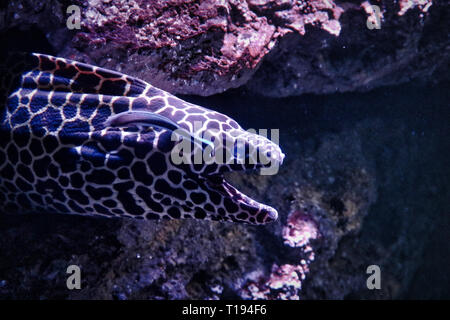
75, 87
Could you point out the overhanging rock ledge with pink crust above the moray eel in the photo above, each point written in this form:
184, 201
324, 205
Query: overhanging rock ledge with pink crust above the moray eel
273, 47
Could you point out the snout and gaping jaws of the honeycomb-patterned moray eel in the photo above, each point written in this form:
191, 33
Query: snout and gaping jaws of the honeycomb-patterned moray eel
245, 151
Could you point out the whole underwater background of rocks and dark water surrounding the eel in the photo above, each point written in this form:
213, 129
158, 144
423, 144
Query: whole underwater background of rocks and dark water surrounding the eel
363, 120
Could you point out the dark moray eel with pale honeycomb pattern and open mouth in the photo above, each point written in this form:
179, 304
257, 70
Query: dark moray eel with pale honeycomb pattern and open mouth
80, 139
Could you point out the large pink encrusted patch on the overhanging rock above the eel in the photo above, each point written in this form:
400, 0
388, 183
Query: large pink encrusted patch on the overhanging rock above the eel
222, 37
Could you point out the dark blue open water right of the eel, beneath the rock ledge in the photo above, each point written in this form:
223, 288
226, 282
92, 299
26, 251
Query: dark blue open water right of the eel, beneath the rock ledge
405, 134
